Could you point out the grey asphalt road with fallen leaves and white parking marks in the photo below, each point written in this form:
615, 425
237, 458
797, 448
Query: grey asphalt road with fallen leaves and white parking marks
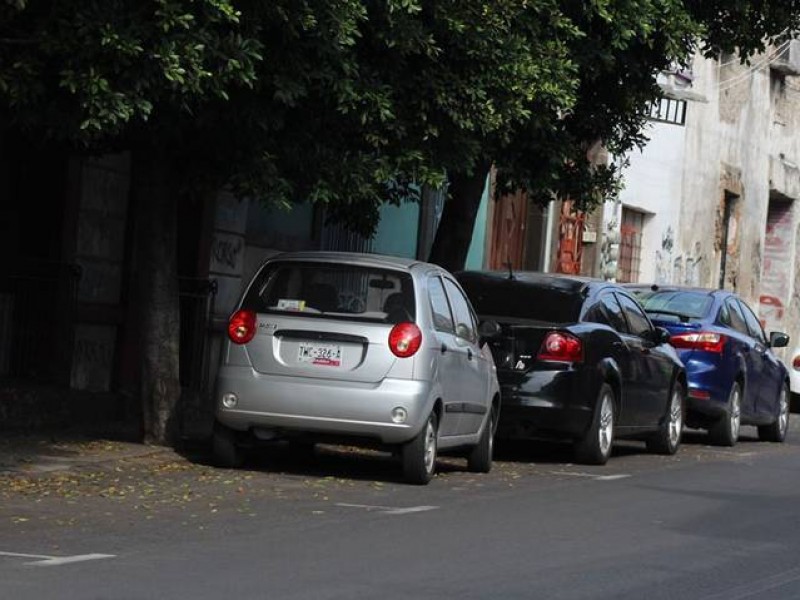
709, 523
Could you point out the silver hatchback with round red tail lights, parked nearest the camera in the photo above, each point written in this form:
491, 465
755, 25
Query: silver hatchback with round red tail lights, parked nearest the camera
358, 348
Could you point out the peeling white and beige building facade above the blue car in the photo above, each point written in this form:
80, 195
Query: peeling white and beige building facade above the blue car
722, 193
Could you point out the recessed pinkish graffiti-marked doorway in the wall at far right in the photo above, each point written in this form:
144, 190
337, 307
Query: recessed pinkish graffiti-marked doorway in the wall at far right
775, 278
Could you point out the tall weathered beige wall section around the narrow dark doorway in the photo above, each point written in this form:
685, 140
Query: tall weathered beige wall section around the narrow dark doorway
727, 153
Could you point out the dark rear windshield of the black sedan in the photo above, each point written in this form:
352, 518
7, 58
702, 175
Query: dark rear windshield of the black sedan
514, 300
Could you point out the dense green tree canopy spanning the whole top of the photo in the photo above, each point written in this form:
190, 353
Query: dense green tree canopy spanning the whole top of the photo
328, 100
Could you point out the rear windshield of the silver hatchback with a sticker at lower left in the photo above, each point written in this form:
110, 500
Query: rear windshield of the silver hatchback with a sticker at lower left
333, 291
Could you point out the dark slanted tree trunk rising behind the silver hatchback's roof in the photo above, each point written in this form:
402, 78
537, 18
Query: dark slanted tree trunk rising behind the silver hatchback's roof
454, 235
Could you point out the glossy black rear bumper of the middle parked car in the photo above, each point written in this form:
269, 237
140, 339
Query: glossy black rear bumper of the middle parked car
544, 403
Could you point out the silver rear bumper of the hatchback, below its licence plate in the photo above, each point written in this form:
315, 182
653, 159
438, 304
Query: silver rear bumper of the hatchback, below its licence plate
322, 406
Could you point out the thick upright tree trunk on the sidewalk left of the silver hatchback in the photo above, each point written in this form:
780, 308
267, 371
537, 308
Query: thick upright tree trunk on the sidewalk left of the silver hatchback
156, 293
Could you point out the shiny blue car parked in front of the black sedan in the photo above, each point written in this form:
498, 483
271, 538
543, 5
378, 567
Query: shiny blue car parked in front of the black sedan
733, 376
